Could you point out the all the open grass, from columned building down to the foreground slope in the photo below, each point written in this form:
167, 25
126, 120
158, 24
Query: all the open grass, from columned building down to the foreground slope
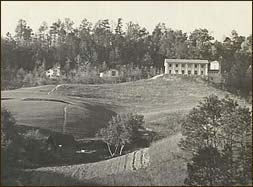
164, 102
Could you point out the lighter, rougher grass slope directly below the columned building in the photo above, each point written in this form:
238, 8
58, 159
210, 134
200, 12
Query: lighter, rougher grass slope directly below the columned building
163, 101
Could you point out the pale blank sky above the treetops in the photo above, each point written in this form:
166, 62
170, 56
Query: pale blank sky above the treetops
218, 17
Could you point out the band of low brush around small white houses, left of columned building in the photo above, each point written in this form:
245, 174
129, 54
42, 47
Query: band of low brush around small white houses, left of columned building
37, 77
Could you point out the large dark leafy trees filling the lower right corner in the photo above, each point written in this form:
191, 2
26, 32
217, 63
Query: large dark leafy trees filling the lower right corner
218, 133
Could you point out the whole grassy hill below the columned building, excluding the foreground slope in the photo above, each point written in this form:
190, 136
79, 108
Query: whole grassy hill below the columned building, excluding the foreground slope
83, 109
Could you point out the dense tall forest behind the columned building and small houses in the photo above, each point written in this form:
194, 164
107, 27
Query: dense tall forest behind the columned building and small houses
85, 50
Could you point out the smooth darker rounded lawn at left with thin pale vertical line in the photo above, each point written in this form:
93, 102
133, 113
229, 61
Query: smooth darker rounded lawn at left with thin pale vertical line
34, 107
